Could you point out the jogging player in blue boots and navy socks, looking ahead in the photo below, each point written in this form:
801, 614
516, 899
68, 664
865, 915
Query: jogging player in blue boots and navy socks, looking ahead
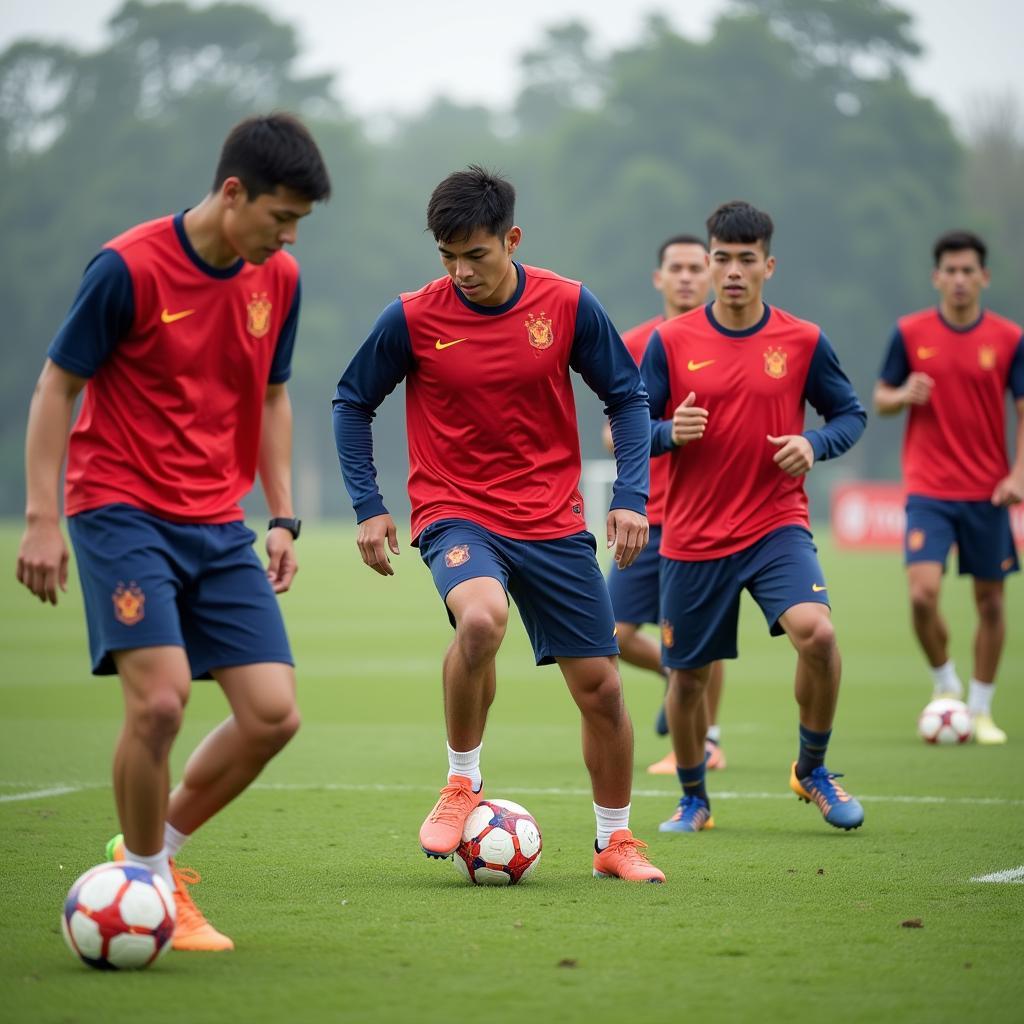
733, 379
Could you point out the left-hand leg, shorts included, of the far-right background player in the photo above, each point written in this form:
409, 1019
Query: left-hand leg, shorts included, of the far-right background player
930, 534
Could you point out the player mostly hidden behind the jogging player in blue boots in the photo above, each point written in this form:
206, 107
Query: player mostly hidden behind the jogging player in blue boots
682, 279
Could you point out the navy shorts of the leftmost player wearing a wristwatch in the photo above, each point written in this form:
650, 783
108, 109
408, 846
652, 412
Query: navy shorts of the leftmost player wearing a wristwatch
151, 583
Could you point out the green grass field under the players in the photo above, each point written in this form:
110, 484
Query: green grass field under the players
337, 916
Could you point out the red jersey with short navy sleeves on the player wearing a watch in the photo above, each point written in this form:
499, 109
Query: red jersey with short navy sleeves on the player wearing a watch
179, 356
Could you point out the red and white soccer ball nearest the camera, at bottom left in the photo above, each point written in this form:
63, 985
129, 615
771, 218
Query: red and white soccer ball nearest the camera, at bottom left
119, 917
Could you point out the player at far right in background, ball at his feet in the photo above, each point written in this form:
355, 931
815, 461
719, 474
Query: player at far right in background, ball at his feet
952, 368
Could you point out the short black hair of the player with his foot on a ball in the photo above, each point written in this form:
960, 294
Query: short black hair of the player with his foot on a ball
470, 200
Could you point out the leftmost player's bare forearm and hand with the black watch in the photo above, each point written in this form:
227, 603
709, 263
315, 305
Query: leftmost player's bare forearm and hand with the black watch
276, 477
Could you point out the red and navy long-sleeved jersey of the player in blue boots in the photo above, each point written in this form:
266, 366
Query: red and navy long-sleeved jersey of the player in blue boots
724, 491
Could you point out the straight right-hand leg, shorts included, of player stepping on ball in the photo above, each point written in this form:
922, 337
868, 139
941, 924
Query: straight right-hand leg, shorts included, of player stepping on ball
565, 606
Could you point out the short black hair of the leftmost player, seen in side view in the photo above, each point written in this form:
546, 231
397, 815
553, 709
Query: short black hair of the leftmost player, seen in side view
270, 151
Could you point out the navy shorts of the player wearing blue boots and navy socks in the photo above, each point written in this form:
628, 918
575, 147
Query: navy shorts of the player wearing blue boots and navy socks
701, 601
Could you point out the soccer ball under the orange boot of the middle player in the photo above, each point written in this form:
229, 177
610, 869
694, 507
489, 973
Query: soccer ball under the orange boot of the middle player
501, 844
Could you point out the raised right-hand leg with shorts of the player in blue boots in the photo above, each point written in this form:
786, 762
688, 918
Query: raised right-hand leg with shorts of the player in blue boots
785, 578
